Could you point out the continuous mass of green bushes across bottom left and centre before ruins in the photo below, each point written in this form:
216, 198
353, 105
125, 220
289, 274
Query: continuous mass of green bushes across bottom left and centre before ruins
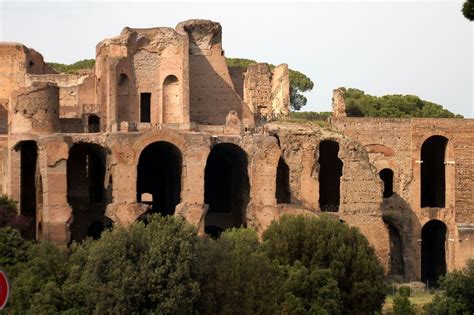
303, 266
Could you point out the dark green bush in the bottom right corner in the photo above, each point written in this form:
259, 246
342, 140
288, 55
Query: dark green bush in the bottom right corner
457, 295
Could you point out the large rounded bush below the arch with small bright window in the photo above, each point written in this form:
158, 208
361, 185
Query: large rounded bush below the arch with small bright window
143, 269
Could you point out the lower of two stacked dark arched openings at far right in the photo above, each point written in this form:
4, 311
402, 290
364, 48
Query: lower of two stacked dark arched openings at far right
433, 253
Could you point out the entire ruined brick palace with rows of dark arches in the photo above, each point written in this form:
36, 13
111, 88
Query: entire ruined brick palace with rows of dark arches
161, 124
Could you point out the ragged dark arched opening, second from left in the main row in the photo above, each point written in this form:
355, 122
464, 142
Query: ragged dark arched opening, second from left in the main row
86, 191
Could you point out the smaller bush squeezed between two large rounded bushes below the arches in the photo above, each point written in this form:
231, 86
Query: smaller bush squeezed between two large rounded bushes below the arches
236, 278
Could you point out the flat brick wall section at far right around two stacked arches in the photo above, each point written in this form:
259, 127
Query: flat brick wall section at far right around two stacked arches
396, 143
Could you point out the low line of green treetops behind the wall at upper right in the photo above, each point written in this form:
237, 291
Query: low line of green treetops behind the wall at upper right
360, 104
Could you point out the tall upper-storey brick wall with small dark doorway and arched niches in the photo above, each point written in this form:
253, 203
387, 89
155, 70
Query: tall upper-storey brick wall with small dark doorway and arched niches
142, 76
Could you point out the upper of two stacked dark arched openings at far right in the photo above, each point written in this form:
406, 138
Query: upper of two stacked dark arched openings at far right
433, 178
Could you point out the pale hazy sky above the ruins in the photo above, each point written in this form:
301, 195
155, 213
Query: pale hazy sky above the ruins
421, 48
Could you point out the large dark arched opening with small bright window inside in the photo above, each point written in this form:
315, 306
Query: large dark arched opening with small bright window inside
159, 177
